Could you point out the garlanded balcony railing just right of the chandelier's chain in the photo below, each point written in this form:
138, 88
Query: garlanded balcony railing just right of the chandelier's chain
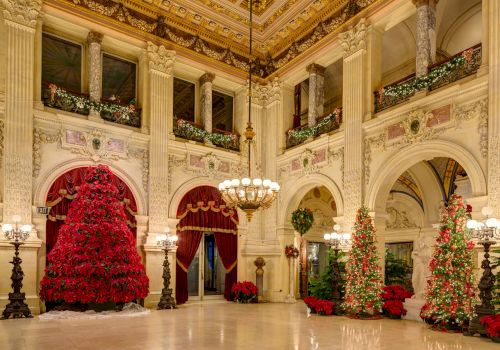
324, 124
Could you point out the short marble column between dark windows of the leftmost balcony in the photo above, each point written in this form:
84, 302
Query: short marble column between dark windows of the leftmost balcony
94, 40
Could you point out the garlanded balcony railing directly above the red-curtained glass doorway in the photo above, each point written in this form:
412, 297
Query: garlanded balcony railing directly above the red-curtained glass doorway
193, 131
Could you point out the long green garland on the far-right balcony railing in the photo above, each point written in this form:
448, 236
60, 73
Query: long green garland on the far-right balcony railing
423, 82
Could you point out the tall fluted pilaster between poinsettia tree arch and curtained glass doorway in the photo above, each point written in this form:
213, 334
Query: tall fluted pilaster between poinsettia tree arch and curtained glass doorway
159, 97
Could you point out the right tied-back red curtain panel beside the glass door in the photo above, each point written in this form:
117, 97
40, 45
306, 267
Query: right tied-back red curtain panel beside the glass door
227, 245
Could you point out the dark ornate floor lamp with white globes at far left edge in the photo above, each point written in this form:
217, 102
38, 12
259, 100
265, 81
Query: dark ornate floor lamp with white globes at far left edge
17, 234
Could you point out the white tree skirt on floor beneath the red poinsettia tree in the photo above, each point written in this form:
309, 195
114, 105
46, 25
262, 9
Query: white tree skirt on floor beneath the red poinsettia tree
129, 310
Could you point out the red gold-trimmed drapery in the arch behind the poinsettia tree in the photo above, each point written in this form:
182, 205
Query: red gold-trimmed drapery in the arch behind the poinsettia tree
64, 190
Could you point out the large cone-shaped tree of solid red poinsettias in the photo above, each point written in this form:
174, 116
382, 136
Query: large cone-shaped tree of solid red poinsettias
95, 259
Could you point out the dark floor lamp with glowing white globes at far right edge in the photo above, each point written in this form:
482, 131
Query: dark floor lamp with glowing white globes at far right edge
485, 233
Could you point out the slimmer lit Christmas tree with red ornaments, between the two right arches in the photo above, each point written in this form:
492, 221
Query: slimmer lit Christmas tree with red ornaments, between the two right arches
364, 276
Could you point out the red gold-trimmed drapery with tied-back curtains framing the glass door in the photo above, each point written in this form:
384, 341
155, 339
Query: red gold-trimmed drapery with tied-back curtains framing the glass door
203, 210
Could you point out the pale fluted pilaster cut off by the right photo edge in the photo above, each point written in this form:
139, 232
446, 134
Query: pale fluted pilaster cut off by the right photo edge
494, 106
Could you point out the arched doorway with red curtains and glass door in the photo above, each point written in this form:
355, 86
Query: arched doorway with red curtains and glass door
208, 245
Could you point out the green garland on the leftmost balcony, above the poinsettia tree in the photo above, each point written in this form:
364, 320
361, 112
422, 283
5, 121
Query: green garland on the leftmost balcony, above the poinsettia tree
83, 103
